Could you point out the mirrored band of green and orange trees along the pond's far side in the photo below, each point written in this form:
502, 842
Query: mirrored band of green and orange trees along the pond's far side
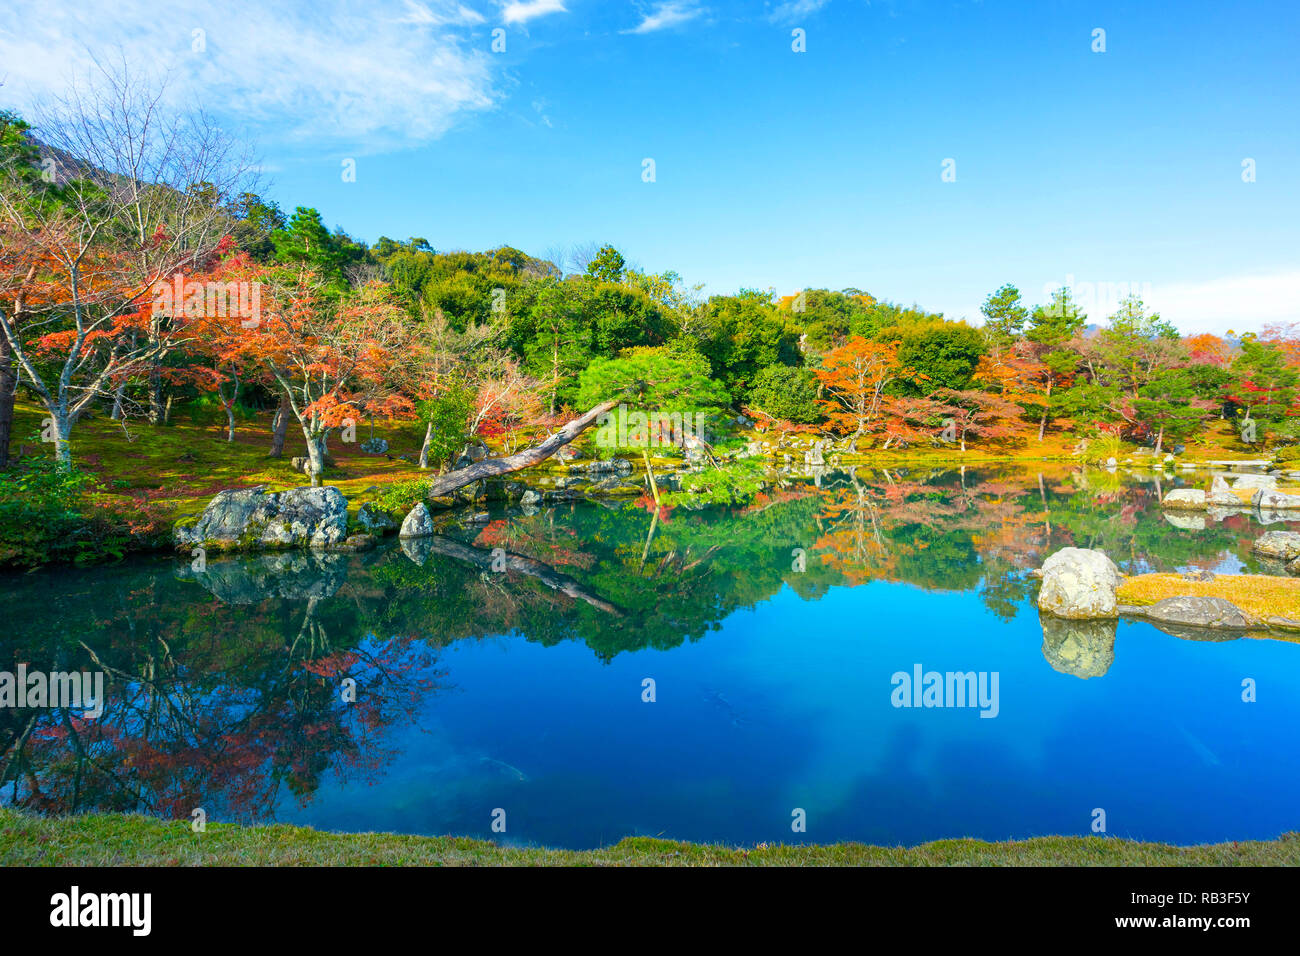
227, 695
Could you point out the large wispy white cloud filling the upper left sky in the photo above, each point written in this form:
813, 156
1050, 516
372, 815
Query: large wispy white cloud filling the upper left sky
366, 77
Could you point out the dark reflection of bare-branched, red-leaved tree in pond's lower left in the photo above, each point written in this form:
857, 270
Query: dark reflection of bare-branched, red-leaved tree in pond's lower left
207, 706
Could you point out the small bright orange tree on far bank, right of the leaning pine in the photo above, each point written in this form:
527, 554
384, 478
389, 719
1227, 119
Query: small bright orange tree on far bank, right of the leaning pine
856, 377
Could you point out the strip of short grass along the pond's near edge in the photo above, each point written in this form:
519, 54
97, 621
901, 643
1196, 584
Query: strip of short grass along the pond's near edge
133, 841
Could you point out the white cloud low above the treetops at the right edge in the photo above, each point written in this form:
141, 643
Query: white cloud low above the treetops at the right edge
1242, 304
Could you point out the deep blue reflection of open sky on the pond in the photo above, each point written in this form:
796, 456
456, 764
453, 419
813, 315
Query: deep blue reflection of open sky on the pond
788, 706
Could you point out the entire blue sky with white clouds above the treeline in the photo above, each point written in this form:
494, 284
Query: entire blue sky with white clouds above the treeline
773, 168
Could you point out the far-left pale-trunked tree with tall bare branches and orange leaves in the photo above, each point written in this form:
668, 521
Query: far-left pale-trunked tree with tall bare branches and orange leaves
135, 192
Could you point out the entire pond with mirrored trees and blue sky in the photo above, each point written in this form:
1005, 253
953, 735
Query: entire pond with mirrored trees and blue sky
588, 672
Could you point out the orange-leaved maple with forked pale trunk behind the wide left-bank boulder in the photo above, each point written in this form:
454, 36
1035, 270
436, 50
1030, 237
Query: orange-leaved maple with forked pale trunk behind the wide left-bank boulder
333, 357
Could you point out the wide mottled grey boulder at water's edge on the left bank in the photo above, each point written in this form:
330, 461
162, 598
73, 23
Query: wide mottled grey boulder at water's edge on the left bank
255, 520
